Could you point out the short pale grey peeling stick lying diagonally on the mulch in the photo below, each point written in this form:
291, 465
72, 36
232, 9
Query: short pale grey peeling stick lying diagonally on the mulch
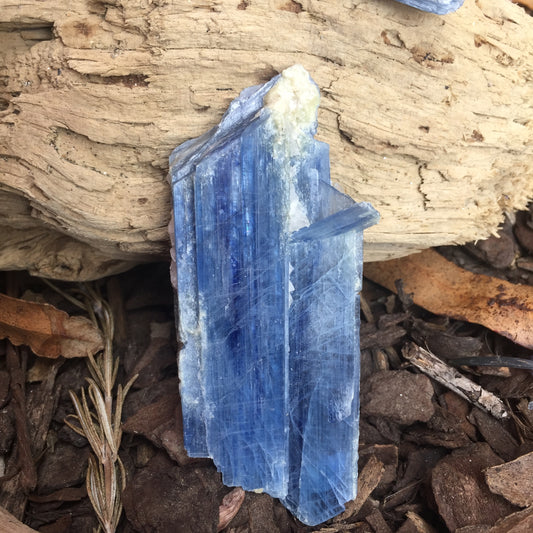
449, 377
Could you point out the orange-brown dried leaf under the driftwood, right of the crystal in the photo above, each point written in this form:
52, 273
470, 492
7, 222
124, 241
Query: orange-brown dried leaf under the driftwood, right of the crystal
446, 289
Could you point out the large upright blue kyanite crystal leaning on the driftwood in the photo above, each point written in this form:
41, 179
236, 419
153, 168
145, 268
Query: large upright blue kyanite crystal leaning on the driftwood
269, 260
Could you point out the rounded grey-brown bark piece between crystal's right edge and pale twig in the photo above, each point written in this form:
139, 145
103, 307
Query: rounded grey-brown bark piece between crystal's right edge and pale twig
398, 395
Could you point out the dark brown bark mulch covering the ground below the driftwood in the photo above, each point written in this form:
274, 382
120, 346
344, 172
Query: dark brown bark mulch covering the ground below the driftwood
430, 458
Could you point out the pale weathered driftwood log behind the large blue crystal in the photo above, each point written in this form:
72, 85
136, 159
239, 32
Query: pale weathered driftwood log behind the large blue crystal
428, 117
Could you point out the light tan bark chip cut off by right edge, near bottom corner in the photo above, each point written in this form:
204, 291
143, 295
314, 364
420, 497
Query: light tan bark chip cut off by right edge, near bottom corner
513, 480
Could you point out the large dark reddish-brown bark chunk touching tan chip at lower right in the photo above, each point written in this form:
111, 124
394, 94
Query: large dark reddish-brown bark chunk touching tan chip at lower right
459, 488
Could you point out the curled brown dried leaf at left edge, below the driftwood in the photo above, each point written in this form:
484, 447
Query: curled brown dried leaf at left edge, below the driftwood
48, 331
